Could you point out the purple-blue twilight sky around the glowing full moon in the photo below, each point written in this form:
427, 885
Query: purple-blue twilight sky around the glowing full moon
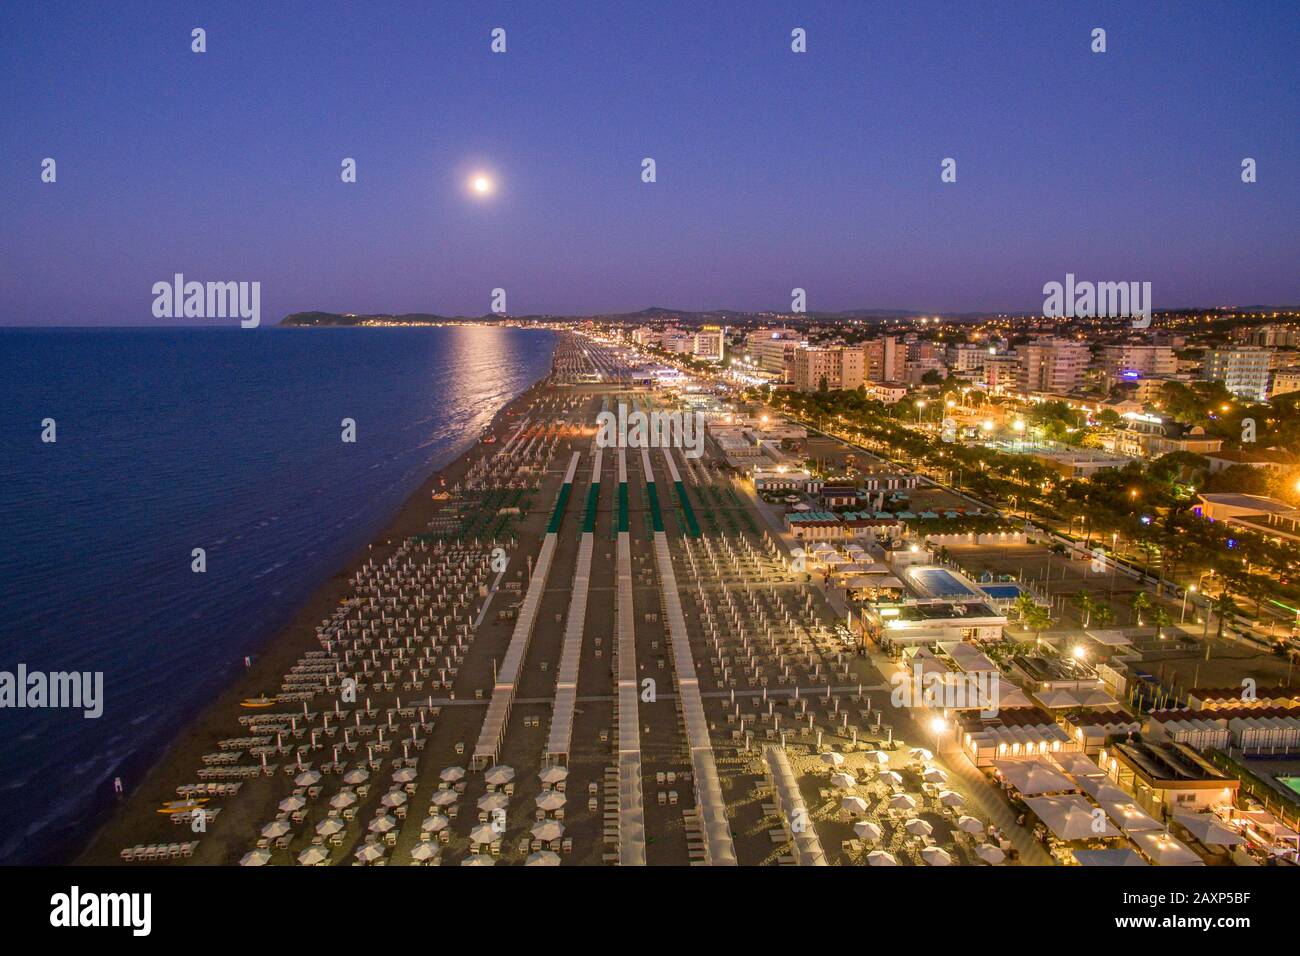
774, 170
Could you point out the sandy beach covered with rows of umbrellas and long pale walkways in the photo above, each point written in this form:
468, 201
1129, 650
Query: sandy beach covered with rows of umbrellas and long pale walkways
588, 657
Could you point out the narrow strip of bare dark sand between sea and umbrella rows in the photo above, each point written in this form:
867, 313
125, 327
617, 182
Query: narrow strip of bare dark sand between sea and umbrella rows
136, 811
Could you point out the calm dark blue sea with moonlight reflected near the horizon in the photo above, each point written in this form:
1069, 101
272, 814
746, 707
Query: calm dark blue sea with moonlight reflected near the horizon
172, 440
